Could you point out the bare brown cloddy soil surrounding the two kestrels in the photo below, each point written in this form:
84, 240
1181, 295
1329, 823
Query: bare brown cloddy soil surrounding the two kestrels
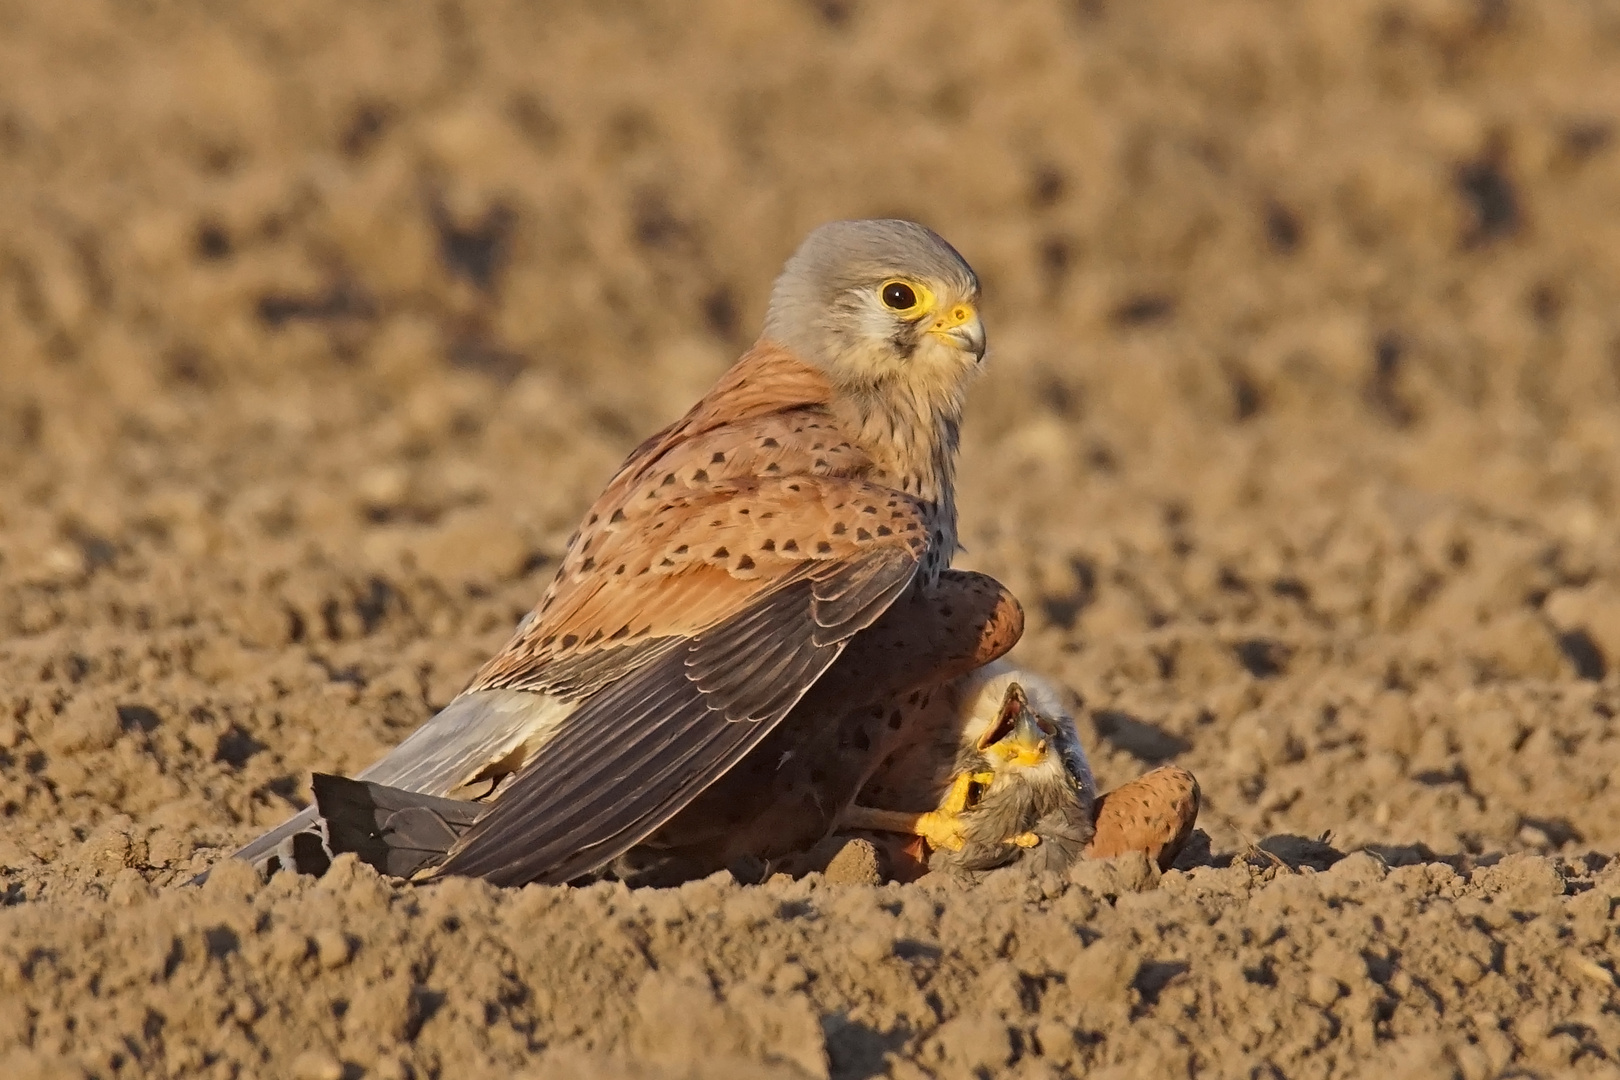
320, 325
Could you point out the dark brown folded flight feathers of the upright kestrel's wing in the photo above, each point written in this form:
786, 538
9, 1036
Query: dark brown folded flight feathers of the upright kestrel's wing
629, 759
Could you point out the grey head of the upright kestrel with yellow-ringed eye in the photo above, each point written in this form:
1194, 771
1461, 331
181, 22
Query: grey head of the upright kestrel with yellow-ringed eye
879, 305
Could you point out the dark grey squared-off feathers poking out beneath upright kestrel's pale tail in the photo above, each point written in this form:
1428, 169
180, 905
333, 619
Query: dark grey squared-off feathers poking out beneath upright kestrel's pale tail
398, 833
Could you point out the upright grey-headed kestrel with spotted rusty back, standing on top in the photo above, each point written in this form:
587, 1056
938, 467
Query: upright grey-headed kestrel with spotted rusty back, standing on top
722, 576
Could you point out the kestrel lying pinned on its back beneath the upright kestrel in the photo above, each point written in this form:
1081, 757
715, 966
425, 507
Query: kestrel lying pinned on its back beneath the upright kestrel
992, 734
